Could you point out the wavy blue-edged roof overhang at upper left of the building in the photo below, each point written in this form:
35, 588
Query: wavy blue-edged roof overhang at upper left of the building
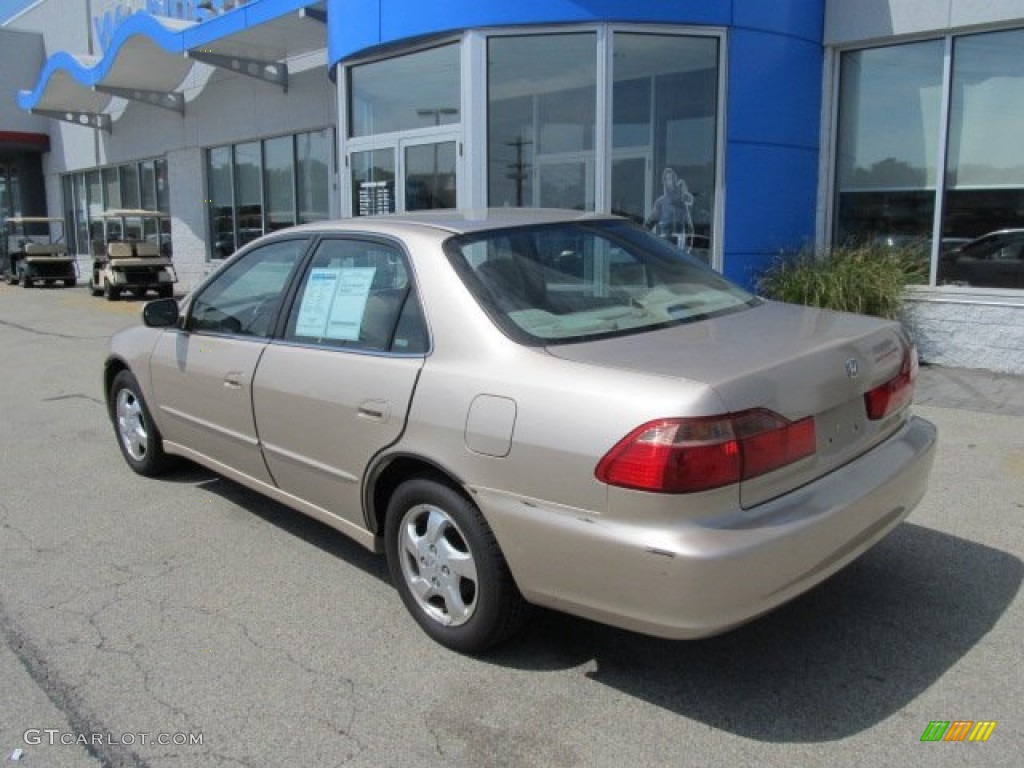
150, 58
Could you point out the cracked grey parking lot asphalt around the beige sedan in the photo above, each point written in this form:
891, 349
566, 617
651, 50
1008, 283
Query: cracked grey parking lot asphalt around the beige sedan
194, 609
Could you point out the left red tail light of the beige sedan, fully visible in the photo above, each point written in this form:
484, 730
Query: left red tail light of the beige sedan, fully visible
682, 456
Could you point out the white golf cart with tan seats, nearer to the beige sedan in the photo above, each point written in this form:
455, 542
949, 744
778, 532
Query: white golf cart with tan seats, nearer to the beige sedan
132, 252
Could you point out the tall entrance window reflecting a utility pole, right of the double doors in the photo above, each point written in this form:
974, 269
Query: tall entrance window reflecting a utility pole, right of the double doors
542, 101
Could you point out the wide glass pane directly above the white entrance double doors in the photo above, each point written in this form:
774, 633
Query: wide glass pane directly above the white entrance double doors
413, 92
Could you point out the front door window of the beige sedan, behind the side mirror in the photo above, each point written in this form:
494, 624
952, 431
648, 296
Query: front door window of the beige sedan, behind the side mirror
246, 296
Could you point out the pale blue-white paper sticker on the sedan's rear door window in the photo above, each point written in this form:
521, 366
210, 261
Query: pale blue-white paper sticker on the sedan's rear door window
334, 303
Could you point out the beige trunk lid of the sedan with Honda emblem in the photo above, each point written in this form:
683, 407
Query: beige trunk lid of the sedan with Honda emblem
795, 362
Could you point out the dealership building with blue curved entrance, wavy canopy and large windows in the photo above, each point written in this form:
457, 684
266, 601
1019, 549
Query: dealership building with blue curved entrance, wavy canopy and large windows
775, 126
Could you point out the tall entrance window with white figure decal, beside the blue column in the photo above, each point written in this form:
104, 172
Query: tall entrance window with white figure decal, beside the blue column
665, 125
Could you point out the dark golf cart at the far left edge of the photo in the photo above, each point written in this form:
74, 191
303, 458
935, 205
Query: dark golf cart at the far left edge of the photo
33, 252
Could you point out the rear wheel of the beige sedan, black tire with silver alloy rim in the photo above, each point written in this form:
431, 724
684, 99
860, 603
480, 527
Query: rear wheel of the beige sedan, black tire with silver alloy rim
449, 570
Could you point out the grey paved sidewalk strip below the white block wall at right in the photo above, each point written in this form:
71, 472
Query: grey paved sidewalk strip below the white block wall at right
970, 391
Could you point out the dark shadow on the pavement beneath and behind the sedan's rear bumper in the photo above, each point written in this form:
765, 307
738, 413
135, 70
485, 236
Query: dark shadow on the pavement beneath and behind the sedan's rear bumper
832, 664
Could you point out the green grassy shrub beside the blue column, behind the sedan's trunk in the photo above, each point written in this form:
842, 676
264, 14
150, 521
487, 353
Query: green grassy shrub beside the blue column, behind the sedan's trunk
866, 279
